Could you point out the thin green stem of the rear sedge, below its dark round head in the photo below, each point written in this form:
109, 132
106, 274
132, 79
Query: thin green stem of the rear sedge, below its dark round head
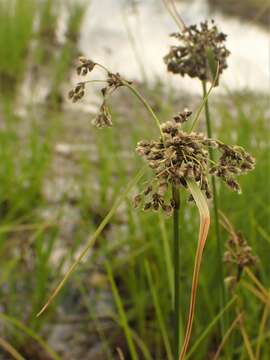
216, 219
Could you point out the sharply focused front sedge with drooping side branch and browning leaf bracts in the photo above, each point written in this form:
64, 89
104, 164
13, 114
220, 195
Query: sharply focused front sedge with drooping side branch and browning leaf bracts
179, 161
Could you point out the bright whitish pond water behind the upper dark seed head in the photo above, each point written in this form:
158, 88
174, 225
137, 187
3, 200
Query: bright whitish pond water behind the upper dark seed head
110, 28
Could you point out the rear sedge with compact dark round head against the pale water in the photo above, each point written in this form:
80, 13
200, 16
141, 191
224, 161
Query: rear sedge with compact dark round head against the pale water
201, 54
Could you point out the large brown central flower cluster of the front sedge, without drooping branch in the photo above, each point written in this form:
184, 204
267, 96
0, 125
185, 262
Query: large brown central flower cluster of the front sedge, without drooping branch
178, 156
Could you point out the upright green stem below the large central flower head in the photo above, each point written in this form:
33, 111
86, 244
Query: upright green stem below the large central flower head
176, 245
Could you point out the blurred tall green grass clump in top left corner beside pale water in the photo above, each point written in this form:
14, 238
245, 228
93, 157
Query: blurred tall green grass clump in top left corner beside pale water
28, 40
